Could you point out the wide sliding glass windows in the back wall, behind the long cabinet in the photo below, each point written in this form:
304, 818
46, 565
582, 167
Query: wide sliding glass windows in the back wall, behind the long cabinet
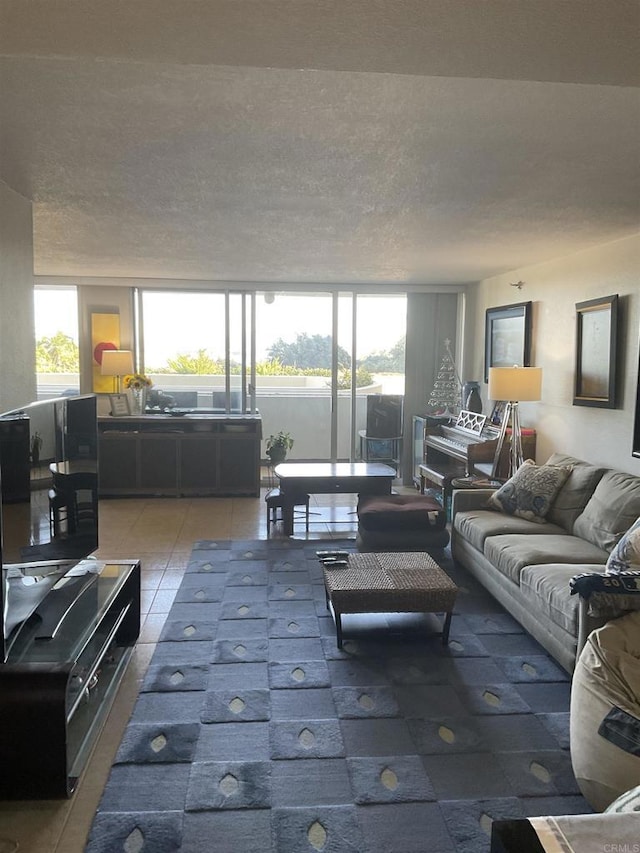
289, 355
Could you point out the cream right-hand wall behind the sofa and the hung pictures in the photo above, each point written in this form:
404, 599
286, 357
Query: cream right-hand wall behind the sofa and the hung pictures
598, 435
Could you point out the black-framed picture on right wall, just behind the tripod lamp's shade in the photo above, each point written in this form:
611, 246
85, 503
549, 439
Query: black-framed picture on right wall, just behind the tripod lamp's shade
507, 337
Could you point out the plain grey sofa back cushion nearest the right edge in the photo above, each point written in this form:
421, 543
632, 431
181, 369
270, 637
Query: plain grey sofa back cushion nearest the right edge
611, 510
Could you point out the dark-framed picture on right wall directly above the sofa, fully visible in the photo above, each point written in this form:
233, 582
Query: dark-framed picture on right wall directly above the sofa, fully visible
596, 344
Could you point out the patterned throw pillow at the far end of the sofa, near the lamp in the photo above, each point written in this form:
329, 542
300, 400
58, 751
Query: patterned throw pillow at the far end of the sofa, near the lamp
530, 492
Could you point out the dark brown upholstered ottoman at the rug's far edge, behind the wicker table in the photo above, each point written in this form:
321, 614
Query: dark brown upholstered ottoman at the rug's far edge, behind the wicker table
401, 523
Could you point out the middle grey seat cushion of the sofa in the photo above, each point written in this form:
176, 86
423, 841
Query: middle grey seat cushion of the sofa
511, 553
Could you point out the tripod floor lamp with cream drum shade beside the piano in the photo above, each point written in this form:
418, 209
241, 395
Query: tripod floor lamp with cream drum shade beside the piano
513, 385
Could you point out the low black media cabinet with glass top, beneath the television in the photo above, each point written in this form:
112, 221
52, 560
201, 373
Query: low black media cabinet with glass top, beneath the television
56, 691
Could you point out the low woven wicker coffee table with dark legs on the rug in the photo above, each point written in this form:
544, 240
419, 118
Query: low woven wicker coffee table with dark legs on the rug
393, 582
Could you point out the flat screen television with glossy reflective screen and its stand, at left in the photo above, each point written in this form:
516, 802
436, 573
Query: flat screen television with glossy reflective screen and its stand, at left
48, 509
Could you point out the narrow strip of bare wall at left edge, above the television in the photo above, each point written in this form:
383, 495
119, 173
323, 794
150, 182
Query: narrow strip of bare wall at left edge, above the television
17, 335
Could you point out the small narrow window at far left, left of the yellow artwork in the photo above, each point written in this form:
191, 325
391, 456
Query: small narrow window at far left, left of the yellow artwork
57, 353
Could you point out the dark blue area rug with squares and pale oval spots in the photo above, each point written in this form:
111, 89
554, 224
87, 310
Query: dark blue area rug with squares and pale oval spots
254, 732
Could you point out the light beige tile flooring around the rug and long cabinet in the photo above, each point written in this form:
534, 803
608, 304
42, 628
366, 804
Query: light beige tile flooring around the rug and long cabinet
160, 532
